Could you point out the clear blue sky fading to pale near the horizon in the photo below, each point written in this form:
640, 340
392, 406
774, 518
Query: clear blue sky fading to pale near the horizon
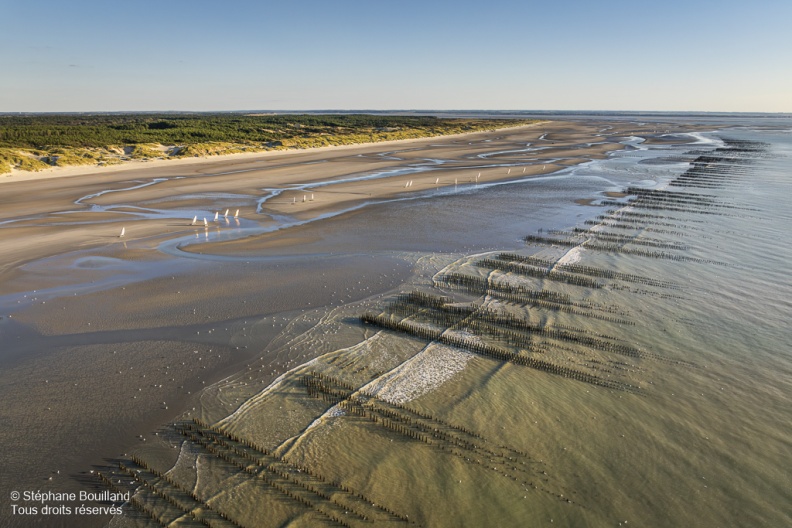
92, 55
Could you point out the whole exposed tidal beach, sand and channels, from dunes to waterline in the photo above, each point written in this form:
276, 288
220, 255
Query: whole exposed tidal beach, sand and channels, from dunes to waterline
108, 338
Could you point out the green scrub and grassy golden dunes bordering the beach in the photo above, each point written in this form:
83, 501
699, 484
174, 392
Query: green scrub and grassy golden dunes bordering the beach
41, 141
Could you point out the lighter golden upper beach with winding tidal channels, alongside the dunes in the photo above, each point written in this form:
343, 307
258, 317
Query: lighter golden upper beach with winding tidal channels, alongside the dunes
96, 216
